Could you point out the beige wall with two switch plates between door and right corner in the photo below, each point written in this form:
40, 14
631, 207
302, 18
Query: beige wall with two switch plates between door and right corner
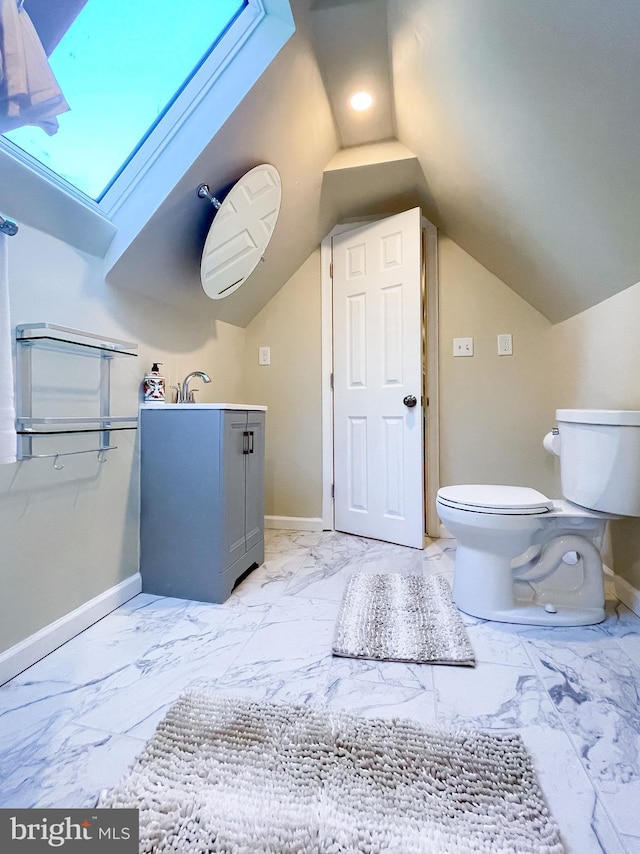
494, 410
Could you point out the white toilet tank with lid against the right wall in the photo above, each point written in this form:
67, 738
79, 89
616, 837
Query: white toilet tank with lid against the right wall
600, 459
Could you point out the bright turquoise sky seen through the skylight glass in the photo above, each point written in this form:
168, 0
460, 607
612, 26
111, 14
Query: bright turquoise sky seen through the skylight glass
119, 66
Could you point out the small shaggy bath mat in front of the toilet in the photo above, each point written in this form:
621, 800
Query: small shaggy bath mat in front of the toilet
401, 618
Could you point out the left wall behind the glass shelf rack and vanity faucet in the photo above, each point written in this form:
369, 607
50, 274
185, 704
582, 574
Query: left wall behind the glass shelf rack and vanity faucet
67, 536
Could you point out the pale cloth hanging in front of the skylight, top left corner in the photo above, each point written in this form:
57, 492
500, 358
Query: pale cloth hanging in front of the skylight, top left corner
29, 92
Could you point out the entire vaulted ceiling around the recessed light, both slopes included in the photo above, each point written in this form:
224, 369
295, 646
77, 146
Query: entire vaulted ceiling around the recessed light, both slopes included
513, 123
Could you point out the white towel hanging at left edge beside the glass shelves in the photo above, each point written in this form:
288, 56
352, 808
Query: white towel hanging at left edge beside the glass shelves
7, 400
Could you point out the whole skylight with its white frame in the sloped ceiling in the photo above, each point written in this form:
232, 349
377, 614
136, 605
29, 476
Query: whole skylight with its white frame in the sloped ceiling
224, 55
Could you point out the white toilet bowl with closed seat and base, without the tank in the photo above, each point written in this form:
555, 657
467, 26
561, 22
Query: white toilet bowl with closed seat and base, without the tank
523, 558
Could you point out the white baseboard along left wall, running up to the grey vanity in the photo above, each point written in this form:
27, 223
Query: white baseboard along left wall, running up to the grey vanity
17, 658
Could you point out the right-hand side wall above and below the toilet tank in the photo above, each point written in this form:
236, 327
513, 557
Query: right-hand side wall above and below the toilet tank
597, 365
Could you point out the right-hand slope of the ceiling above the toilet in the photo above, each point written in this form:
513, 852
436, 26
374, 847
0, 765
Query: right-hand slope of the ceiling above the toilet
525, 119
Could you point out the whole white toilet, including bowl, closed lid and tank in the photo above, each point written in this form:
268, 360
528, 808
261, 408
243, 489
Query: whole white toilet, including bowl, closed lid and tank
524, 558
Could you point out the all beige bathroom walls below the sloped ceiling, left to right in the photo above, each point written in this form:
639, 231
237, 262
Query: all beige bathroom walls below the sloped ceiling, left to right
68, 536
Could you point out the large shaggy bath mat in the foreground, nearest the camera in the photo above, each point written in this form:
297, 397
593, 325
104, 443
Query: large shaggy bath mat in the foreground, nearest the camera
241, 777
